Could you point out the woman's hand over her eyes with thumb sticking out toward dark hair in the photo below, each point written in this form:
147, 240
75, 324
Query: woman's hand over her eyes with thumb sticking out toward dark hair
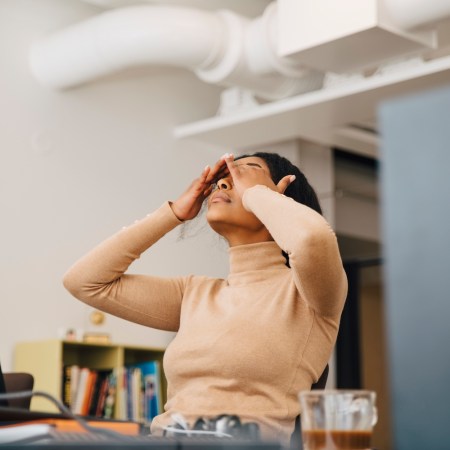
245, 176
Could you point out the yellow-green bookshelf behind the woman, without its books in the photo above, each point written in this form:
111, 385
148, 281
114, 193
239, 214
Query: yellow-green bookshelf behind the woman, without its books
46, 361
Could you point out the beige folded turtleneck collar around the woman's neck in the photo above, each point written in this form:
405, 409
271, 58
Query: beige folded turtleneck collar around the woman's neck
250, 262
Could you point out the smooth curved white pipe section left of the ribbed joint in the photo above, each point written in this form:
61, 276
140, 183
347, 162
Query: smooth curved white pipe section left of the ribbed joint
125, 38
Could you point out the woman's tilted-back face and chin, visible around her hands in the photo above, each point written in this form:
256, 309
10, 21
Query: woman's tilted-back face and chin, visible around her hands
226, 214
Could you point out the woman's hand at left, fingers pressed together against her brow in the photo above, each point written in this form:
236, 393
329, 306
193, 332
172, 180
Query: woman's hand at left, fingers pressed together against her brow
188, 205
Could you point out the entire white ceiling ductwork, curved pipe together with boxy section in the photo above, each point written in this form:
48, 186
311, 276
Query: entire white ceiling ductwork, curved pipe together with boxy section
284, 52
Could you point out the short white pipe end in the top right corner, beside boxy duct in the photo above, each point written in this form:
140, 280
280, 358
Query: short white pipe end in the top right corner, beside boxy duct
411, 14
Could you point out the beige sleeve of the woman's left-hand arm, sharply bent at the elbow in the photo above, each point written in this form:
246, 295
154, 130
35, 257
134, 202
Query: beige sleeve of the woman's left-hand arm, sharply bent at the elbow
98, 278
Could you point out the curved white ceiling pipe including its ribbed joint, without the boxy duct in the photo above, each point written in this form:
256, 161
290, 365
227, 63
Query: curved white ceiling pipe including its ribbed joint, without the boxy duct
221, 48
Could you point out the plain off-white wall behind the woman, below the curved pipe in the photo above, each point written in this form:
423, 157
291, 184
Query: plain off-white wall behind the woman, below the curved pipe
77, 166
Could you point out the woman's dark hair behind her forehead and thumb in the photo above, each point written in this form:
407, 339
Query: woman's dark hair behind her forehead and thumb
300, 190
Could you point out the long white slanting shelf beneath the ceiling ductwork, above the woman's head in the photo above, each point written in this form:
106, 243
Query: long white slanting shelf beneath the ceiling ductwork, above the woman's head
323, 116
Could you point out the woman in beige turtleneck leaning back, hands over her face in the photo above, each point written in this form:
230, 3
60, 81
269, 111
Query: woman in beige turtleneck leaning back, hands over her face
247, 344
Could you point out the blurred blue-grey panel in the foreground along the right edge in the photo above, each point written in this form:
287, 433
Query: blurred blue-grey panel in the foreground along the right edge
416, 220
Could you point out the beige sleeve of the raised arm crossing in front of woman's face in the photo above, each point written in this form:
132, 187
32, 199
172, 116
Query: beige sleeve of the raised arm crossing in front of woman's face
310, 243
